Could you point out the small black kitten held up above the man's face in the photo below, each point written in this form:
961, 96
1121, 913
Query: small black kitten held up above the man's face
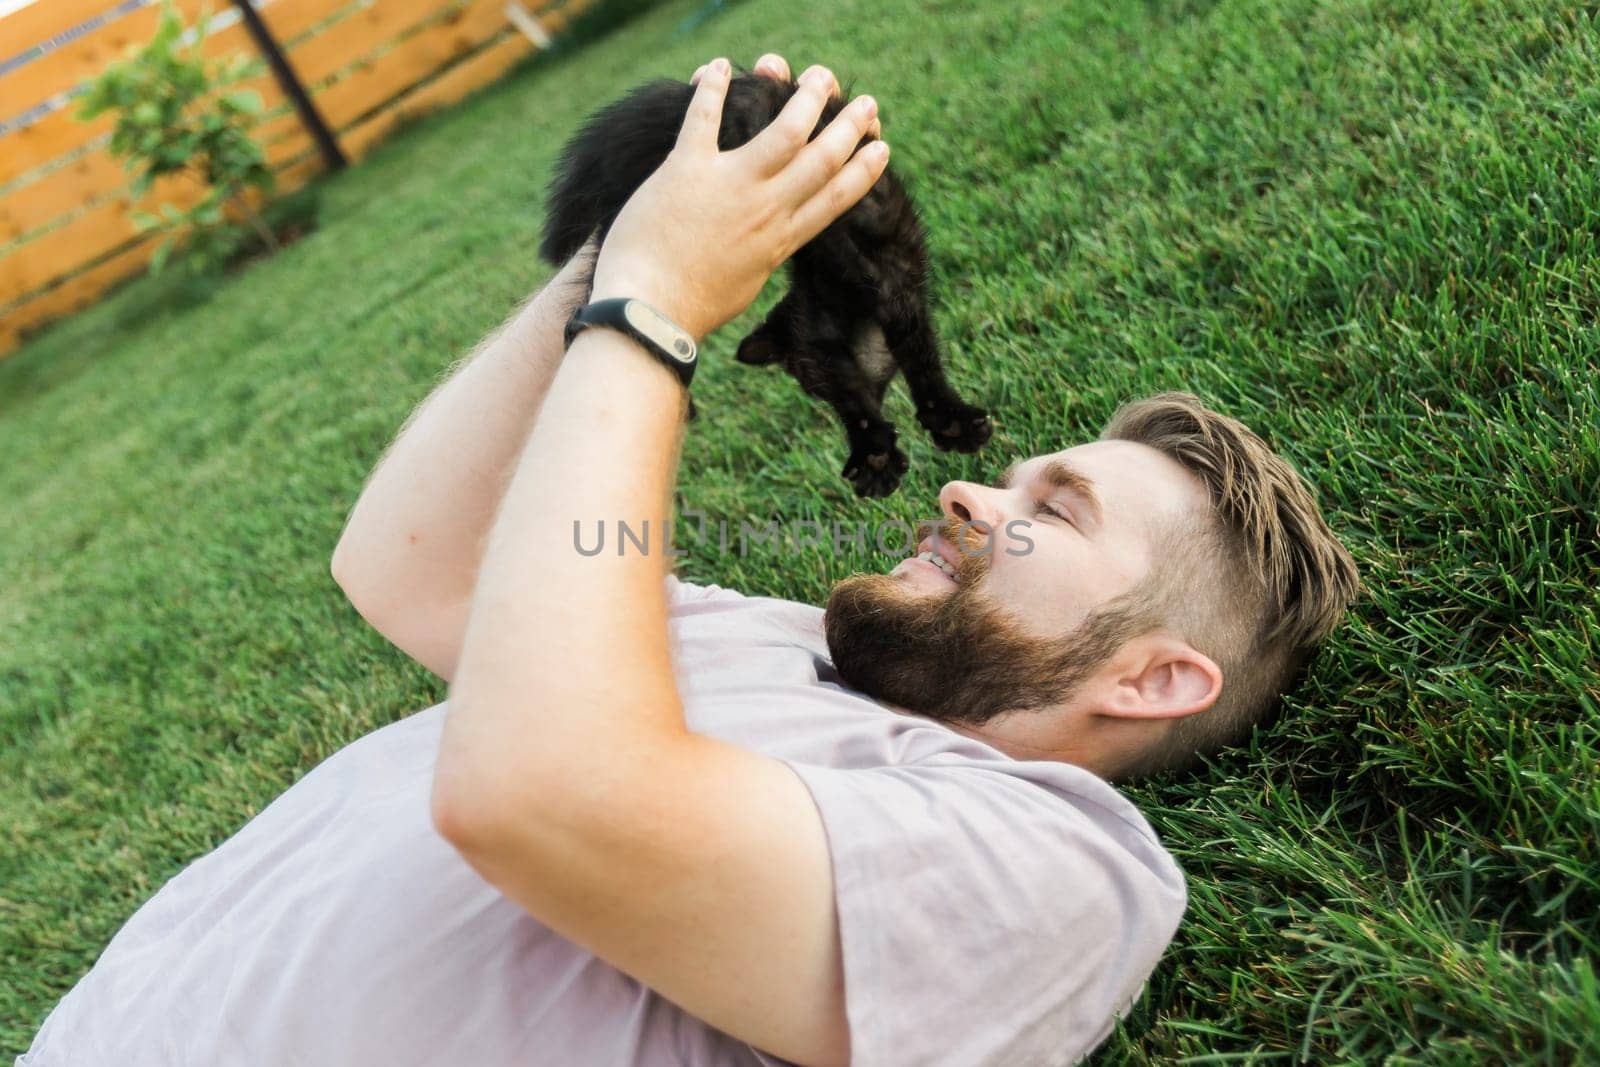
857, 306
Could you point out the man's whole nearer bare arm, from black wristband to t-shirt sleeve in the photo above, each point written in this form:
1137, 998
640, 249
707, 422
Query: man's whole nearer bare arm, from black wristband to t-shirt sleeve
567, 775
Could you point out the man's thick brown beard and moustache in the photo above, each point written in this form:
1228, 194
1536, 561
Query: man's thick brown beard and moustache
961, 658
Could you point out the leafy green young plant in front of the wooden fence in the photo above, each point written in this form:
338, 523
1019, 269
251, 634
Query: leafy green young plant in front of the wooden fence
178, 114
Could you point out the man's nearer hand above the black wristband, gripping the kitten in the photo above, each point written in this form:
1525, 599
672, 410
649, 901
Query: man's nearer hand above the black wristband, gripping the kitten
706, 231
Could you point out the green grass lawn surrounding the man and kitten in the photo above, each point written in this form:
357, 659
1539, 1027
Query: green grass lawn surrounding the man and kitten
1367, 230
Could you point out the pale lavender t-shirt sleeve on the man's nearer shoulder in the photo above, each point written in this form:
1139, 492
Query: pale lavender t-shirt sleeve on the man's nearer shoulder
985, 917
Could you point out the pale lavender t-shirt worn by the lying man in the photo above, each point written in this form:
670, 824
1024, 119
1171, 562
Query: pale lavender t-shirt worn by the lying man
991, 911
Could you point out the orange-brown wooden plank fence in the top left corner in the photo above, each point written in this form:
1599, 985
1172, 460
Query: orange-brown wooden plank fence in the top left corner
66, 220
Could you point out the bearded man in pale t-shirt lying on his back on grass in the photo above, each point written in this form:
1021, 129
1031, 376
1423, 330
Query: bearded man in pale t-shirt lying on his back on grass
660, 823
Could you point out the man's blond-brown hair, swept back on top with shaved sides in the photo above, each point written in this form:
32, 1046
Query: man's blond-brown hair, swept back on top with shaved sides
1255, 585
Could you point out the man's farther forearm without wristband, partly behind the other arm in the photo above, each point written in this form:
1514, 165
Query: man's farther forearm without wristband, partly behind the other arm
410, 553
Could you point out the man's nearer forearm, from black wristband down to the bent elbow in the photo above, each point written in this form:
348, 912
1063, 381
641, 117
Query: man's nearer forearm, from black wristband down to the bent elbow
588, 634
